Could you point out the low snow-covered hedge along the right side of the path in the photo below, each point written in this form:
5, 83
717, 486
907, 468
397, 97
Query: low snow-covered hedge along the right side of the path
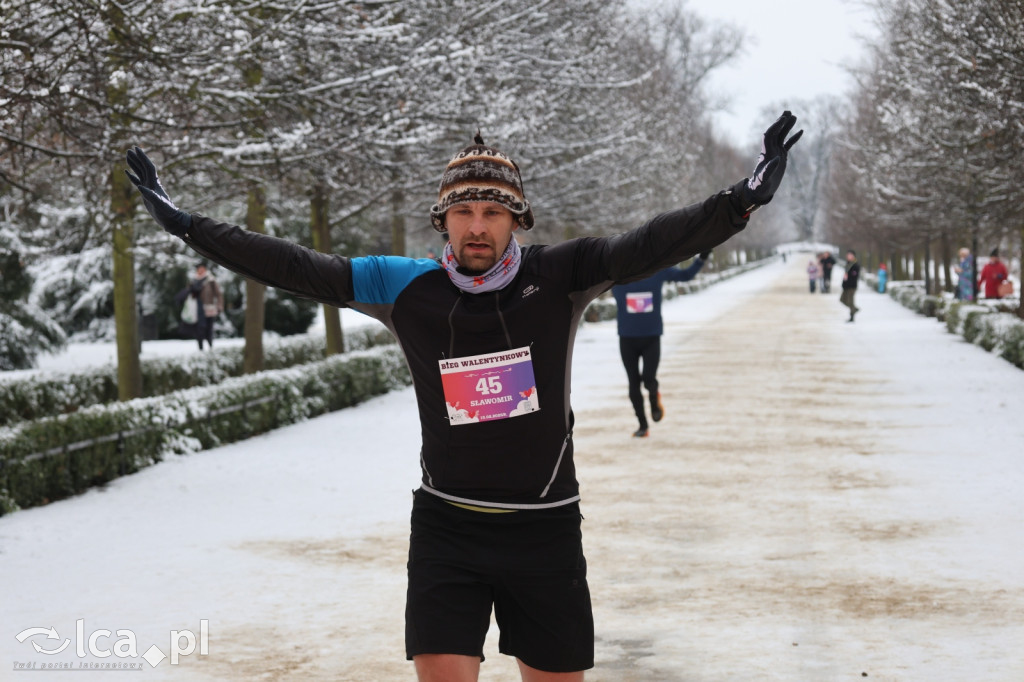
996, 331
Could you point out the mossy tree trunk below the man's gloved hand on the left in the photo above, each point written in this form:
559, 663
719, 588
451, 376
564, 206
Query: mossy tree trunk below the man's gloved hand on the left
125, 310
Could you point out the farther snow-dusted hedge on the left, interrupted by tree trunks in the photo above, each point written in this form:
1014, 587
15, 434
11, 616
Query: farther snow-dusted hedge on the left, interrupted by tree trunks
59, 394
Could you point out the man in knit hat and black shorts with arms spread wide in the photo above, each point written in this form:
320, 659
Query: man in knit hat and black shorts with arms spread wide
488, 333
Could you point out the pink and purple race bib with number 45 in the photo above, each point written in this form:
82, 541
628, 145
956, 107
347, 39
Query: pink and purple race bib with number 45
483, 389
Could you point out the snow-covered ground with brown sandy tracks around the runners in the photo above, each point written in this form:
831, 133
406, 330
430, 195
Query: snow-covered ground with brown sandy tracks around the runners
823, 501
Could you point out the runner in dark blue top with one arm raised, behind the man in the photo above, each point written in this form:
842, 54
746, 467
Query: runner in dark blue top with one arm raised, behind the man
641, 327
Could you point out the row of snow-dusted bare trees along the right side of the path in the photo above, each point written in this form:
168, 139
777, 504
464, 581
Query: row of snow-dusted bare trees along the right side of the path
934, 144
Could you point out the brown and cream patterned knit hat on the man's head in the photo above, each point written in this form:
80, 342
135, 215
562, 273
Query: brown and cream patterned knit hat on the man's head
482, 174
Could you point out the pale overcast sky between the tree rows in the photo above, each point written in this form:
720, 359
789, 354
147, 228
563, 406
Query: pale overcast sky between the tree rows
797, 51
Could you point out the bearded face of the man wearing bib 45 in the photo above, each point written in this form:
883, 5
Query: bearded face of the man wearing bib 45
480, 232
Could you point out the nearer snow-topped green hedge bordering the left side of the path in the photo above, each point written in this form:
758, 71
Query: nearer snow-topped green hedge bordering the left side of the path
54, 458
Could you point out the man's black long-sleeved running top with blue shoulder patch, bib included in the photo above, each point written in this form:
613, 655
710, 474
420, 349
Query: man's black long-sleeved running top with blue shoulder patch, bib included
486, 442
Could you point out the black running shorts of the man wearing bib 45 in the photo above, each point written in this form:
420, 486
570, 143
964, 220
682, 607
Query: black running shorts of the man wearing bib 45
528, 564
